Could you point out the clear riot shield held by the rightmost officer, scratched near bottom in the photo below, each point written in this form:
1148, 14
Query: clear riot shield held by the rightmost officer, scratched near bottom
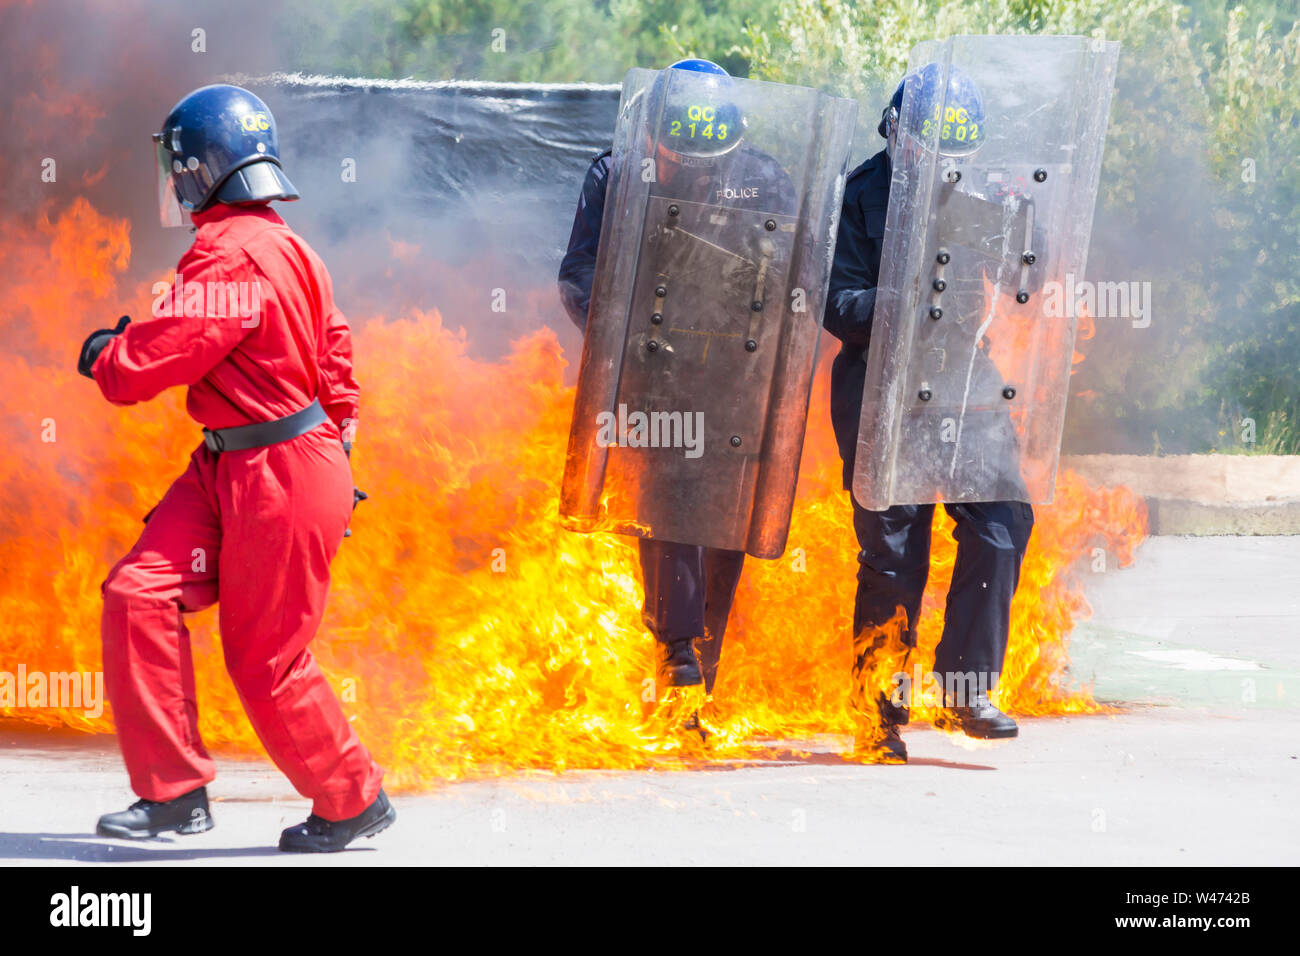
972, 340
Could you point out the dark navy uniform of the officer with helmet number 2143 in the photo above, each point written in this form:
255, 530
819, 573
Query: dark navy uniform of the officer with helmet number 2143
688, 589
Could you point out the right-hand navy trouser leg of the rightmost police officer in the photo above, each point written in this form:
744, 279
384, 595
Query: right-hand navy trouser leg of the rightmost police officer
991, 543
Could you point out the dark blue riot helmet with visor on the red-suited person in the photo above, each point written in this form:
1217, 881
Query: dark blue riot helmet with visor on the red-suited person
218, 145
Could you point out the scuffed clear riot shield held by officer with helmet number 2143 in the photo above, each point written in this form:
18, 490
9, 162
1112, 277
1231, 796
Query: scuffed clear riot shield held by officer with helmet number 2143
701, 339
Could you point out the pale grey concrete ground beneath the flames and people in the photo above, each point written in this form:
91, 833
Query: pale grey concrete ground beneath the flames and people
1198, 639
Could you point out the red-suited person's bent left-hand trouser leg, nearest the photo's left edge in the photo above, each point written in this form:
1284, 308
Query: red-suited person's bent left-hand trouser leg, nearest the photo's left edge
148, 669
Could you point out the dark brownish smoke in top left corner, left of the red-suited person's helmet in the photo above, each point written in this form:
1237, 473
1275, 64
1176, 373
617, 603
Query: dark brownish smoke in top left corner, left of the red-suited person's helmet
88, 84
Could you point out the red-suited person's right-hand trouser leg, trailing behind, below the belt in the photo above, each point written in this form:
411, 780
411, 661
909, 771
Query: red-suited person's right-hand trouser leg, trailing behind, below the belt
284, 511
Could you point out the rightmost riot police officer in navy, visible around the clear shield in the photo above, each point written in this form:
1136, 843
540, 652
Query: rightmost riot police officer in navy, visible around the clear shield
895, 560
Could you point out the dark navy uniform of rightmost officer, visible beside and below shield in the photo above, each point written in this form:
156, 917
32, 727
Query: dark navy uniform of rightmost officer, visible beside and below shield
895, 557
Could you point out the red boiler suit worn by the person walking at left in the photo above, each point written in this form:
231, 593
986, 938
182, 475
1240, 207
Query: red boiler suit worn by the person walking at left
253, 530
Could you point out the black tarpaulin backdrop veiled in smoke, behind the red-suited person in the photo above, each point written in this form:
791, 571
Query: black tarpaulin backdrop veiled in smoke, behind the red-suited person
461, 191
